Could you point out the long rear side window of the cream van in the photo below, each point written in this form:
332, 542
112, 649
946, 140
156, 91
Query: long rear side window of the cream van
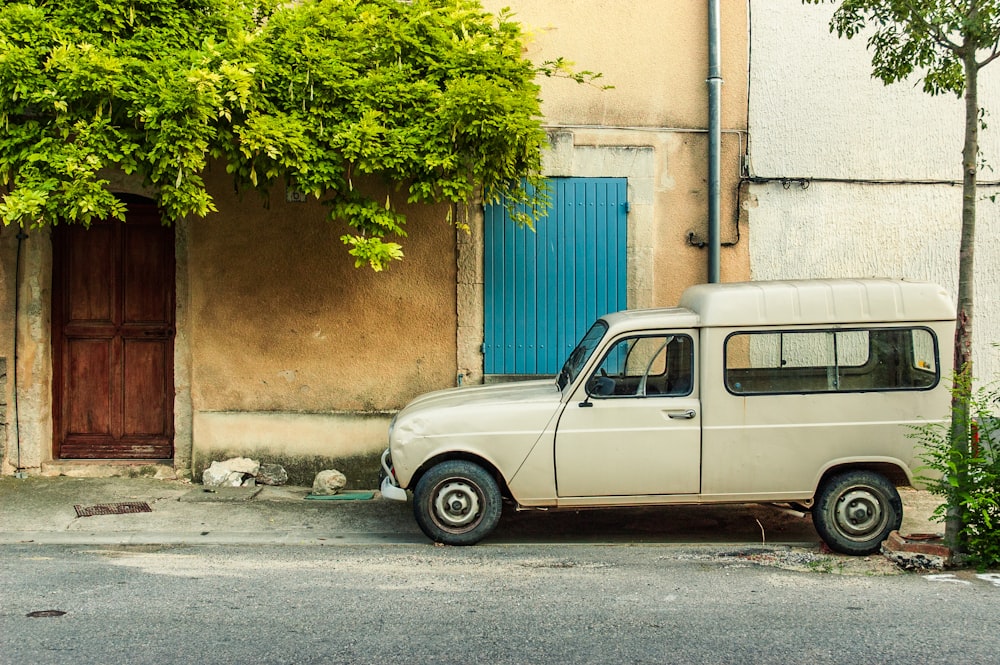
820, 361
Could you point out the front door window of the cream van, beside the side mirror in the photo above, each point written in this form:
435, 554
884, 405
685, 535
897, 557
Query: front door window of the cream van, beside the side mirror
645, 366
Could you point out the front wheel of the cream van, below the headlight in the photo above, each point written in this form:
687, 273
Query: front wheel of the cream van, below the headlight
457, 503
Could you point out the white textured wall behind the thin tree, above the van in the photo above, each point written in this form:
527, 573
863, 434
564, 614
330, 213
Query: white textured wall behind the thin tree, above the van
815, 112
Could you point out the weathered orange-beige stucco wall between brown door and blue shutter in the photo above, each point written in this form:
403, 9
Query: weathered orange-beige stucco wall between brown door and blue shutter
295, 353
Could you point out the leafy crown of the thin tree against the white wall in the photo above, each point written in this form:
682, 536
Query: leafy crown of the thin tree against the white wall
926, 37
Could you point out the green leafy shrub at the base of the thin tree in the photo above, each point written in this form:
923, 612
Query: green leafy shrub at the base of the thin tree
966, 473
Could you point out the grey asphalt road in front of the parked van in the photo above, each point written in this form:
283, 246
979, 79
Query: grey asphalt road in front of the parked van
489, 604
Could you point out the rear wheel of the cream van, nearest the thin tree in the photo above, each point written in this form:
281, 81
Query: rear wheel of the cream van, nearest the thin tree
856, 510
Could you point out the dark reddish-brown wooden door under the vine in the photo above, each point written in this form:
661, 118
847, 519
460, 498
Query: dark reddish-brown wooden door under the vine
113, 338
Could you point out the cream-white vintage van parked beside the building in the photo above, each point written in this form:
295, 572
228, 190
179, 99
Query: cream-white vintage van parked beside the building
798, 392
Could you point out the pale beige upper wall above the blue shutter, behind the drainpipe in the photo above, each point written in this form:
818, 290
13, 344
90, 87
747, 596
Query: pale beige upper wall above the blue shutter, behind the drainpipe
654, 53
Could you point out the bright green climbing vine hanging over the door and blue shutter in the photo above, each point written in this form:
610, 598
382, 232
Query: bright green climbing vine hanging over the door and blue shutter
431, 97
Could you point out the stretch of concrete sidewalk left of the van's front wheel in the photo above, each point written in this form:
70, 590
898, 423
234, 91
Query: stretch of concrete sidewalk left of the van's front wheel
42, 510
